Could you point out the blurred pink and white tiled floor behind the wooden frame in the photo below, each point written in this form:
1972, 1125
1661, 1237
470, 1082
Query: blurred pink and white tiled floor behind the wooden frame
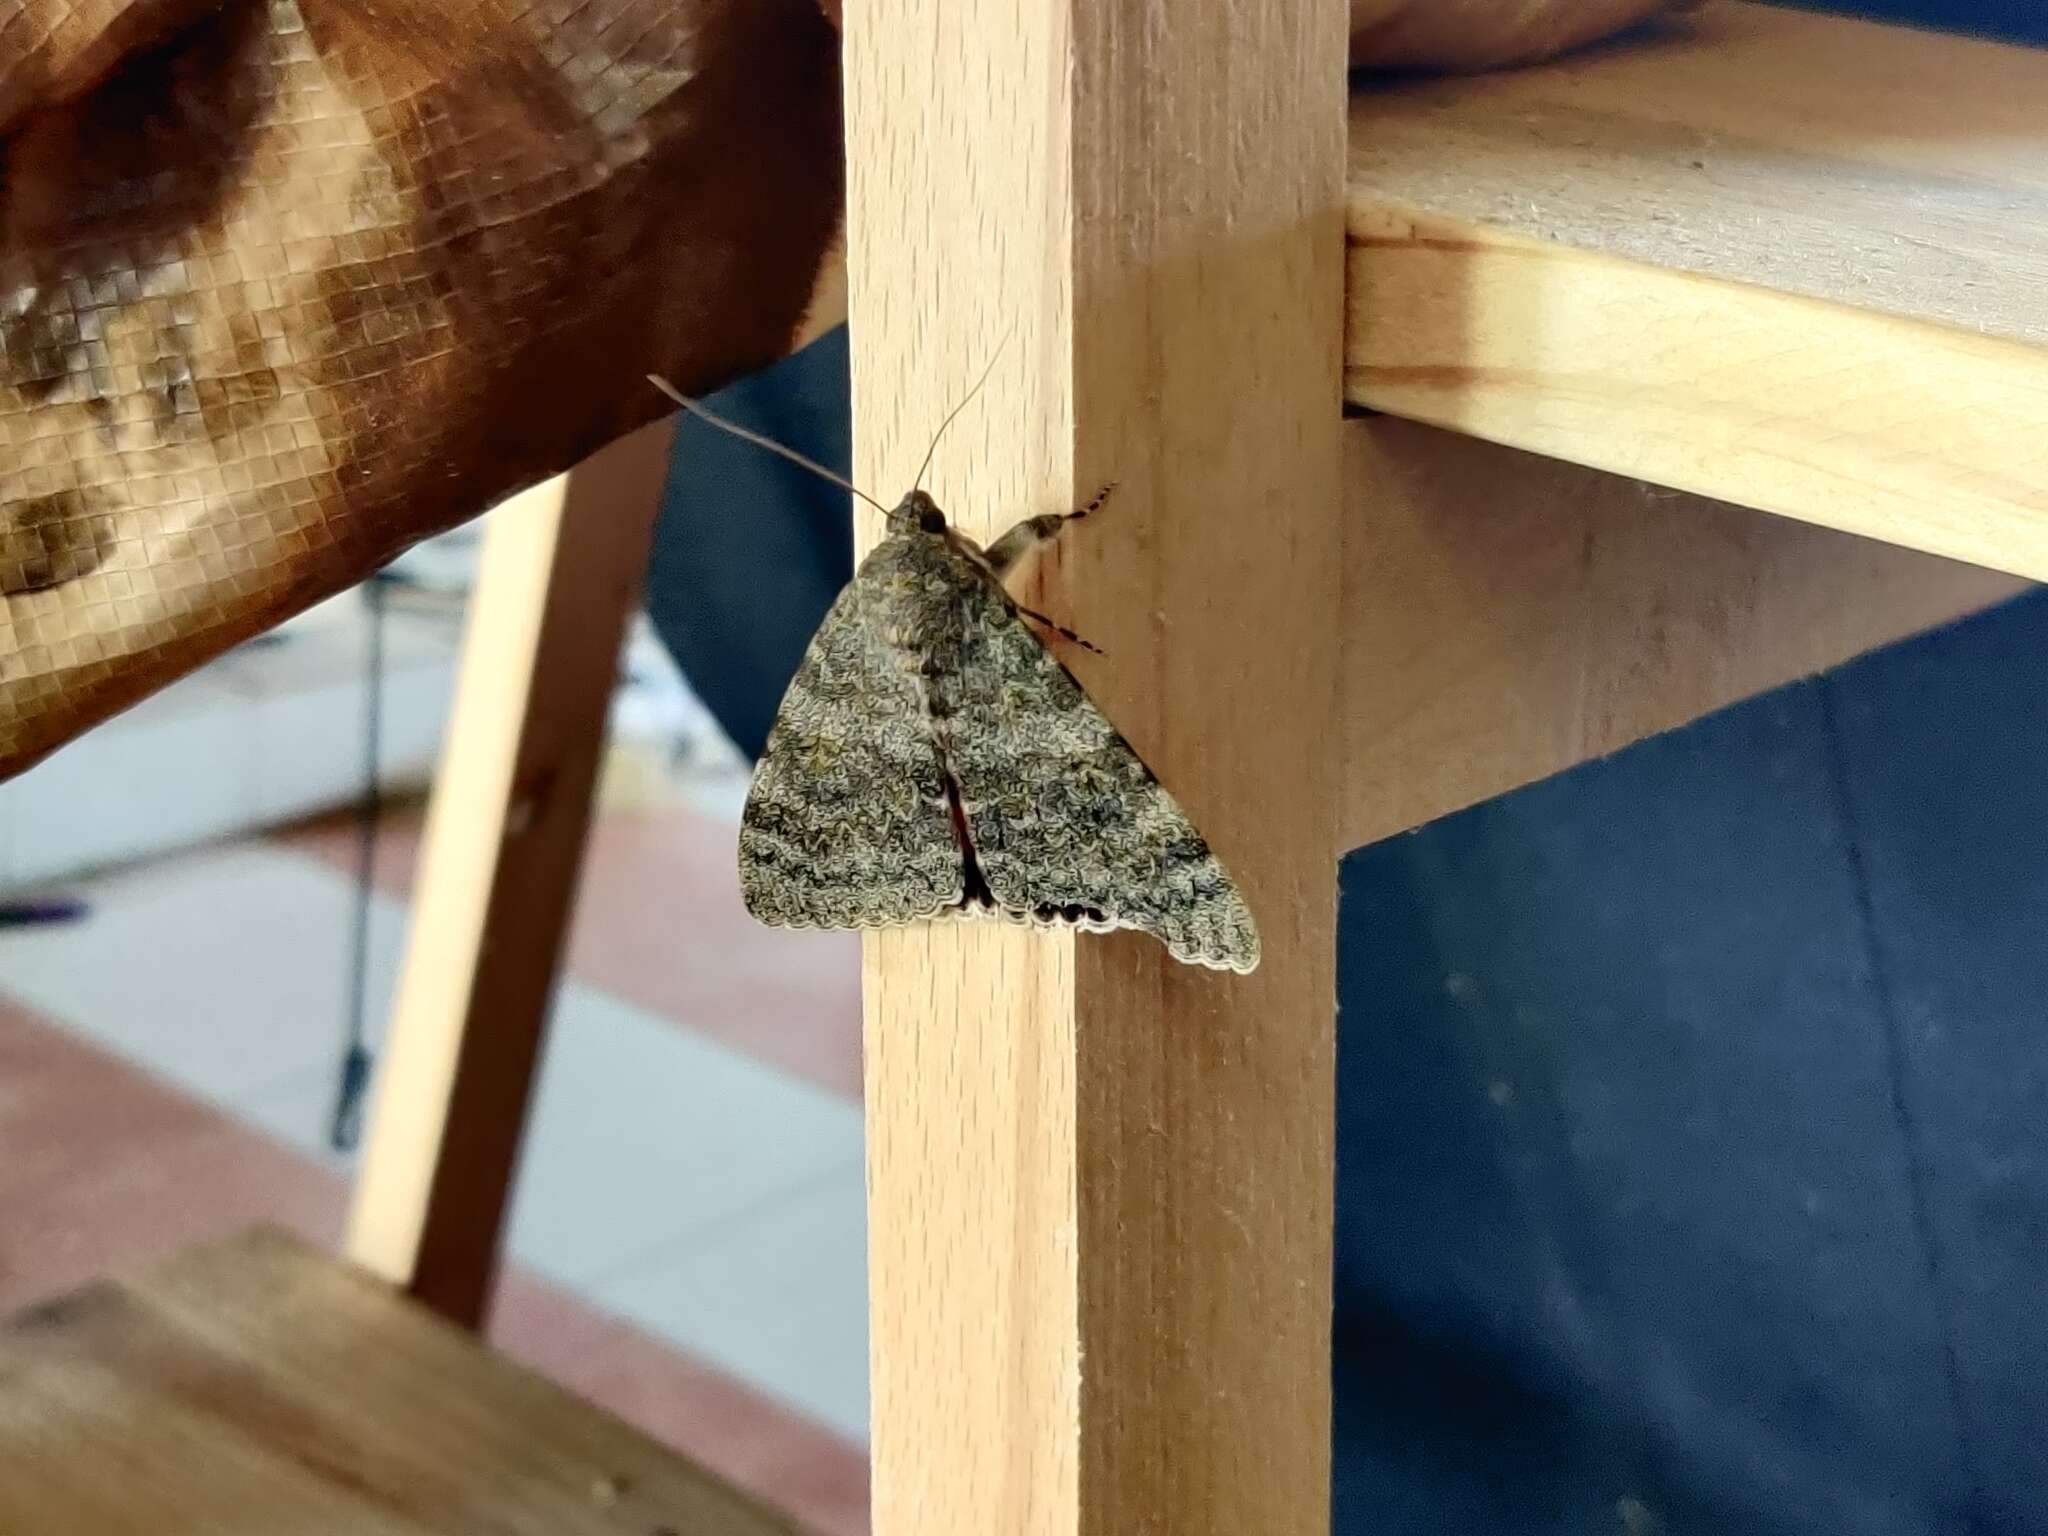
689, 1220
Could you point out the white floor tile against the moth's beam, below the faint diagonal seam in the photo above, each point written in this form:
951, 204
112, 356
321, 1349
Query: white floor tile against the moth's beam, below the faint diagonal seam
779, 1299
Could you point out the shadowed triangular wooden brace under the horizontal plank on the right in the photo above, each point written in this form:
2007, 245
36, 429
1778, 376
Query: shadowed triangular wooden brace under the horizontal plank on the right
1508, 615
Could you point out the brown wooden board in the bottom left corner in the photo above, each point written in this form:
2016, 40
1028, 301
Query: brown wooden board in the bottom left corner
257, 1388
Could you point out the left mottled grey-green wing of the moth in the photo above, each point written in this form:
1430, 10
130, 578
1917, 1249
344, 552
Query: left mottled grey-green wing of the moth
847, 824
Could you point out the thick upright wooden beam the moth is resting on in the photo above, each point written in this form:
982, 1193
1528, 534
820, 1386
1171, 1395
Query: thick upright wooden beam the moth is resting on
1101, 1185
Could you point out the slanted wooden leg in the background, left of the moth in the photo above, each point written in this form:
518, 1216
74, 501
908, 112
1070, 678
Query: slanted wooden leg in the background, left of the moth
505, 841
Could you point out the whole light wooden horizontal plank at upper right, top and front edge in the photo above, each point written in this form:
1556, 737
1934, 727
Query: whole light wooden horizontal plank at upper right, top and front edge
1777, 259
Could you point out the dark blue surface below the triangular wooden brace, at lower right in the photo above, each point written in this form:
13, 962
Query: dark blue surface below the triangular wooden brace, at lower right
1695, 1125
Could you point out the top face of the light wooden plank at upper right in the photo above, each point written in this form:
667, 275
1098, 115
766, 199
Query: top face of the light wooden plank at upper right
1873, 167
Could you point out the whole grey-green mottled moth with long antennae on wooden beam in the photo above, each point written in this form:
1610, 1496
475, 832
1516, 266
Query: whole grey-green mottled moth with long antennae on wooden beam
935, 761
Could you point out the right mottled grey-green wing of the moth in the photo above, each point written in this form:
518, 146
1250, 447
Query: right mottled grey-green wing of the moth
1068, 824
